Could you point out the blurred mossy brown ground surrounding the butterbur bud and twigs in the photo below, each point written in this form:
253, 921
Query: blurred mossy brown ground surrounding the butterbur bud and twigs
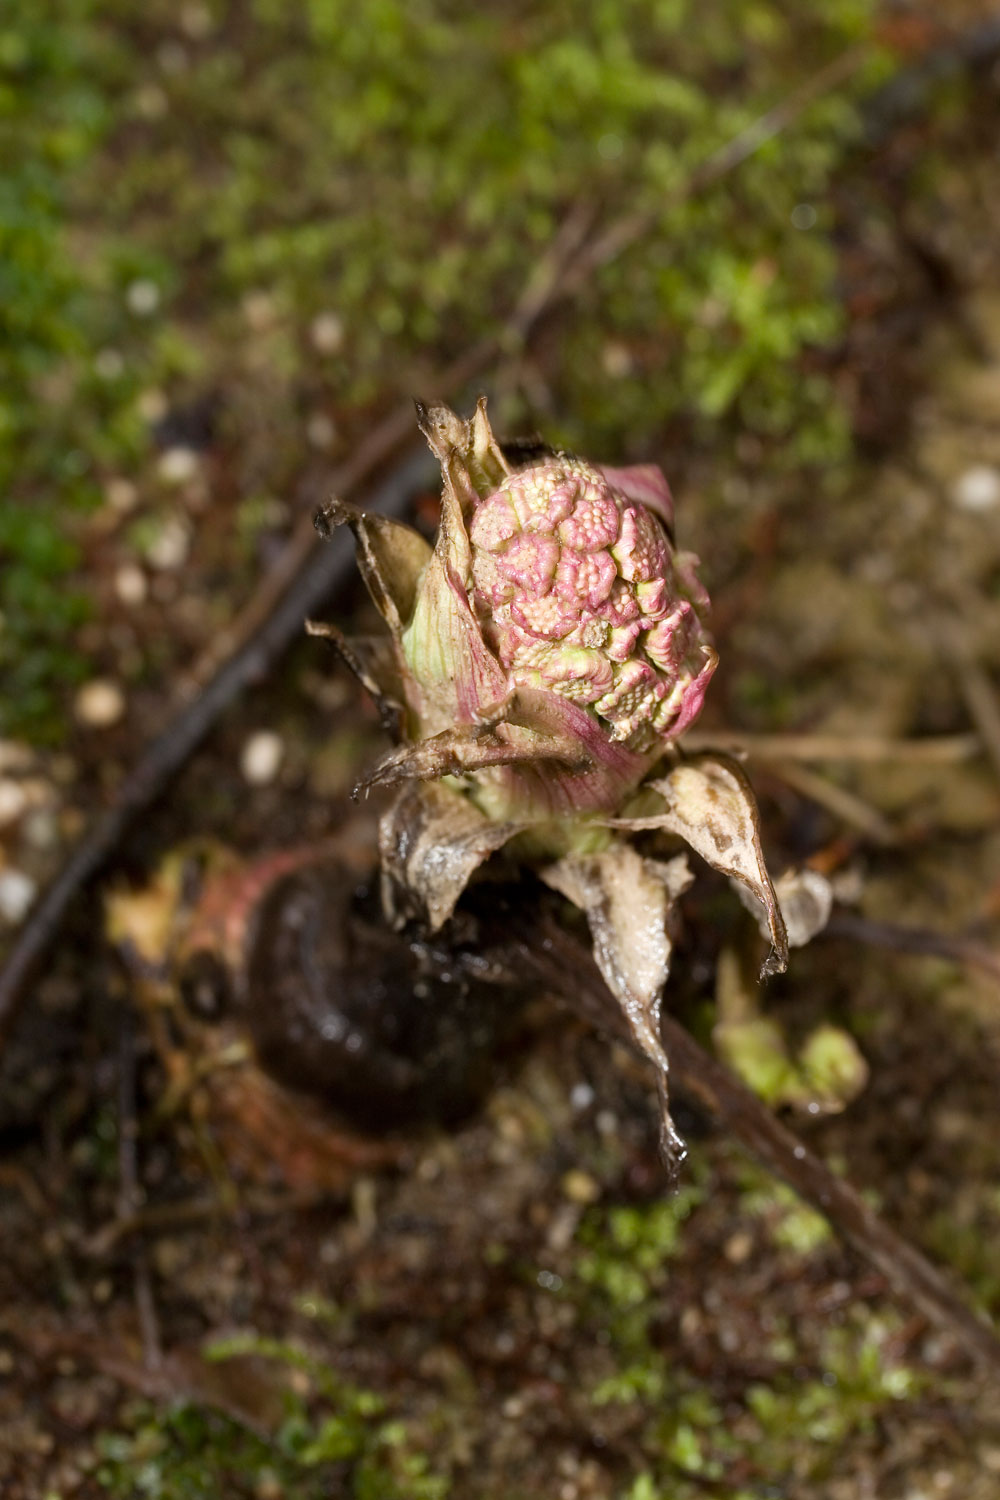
239, 235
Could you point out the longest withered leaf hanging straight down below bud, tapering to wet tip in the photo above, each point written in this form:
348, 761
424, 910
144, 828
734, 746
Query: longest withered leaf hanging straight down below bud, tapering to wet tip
627, 902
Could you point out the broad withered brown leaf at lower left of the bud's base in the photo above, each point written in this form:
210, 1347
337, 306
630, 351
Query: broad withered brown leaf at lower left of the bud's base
431, 842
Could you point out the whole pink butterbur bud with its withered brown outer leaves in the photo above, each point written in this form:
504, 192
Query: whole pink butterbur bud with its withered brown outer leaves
542, 661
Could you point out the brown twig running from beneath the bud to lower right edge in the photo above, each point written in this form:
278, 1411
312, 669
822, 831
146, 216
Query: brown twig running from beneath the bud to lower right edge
561, 965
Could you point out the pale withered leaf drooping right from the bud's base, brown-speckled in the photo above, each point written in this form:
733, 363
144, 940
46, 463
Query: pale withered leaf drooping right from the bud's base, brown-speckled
710, 803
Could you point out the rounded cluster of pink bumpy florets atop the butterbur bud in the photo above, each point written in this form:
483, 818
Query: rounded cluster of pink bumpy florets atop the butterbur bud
579, 592
